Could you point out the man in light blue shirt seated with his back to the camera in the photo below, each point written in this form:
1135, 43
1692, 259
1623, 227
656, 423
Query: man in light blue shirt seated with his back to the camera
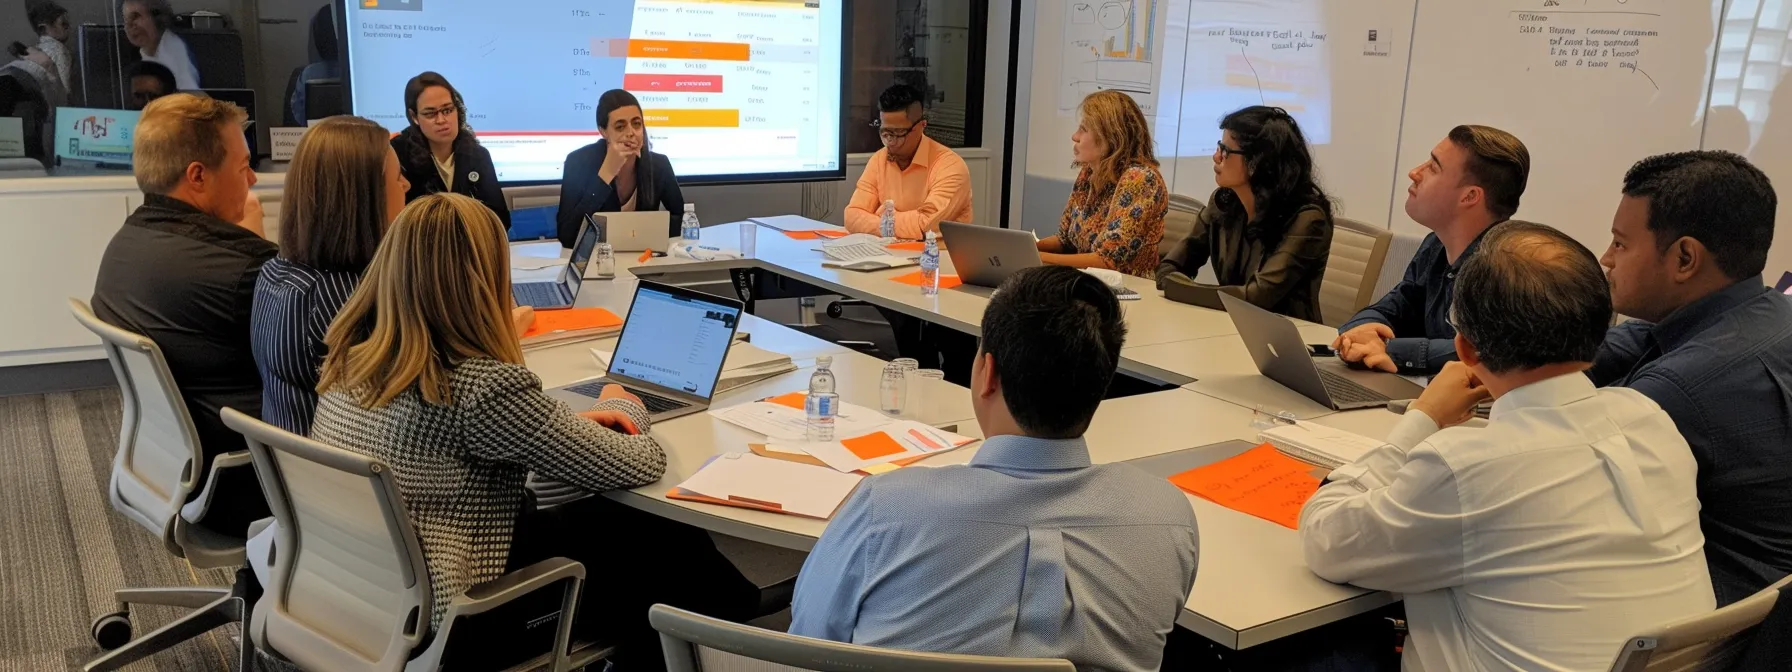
1030, 551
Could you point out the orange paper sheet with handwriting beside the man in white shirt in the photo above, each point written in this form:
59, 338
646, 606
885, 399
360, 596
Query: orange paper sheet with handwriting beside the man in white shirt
1262, 483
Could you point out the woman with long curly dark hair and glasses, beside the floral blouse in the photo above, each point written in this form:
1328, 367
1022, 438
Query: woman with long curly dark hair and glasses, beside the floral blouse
1268, 228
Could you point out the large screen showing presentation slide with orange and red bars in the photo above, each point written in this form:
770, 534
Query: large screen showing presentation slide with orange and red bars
732, 90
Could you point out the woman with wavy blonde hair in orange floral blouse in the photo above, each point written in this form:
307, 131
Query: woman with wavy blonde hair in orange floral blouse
1116, 212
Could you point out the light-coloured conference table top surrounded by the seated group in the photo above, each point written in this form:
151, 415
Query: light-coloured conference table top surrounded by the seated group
1252, 585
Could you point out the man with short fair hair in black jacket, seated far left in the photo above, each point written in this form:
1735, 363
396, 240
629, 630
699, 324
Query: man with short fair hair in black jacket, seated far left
182, 271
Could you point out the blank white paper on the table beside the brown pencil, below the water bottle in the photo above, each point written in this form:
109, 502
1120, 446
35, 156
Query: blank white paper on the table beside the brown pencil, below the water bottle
793, 488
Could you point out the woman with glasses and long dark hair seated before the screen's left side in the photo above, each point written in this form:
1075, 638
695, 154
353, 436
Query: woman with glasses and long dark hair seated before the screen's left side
440, 151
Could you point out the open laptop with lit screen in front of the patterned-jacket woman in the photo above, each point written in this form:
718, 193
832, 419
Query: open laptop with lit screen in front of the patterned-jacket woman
671, 352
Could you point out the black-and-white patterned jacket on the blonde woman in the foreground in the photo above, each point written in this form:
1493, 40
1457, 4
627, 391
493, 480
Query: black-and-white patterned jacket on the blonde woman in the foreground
461, 465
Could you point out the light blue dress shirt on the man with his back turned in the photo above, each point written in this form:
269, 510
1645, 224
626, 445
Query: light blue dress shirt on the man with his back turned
1030, 551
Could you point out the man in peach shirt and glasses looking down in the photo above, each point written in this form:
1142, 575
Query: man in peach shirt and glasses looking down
929, 182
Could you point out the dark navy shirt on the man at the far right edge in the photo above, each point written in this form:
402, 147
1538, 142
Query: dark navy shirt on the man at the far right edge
1723, 370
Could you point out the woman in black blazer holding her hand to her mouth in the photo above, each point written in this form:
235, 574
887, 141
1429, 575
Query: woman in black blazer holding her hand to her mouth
619, 173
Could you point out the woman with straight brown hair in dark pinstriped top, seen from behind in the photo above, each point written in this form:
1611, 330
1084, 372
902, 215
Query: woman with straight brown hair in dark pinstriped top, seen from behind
343, 189
